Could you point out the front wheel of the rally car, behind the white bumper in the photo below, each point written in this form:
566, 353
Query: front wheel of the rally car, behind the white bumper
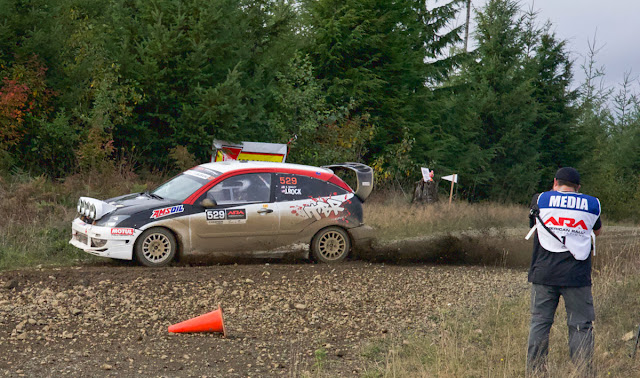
155, 247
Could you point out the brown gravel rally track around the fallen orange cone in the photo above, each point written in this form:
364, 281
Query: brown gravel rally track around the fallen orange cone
112, 320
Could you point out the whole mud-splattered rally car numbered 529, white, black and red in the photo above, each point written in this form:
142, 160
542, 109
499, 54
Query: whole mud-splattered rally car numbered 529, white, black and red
230, 206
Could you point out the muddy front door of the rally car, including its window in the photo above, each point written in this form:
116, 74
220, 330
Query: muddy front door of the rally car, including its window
243, 219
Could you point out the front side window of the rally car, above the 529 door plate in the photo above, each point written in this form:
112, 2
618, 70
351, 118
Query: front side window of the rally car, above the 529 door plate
249, 188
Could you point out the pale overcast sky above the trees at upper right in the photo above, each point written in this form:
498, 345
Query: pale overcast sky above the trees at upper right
614, 23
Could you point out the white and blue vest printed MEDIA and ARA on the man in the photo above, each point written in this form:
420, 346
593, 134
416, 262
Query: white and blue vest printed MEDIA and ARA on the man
571, 216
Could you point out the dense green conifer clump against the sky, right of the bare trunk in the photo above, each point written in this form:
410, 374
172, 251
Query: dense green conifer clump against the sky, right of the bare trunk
506, 119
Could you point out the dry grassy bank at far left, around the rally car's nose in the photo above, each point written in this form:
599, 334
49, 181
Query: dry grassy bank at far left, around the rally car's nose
37, 213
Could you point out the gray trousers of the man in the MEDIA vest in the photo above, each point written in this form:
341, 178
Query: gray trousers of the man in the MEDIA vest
580, 316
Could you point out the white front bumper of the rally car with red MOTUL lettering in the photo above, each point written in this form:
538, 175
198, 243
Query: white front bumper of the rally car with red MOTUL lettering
113, 242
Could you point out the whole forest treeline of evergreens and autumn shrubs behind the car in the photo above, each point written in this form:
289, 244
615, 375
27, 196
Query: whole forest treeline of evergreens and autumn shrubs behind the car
86, 83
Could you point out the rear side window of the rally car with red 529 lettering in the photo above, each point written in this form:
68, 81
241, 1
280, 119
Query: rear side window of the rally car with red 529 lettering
291, 187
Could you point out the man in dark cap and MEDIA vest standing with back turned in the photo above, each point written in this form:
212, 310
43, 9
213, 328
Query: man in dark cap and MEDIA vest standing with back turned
564, 221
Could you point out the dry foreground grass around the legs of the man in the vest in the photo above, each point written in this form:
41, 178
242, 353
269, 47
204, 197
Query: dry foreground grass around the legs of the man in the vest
491, 342
